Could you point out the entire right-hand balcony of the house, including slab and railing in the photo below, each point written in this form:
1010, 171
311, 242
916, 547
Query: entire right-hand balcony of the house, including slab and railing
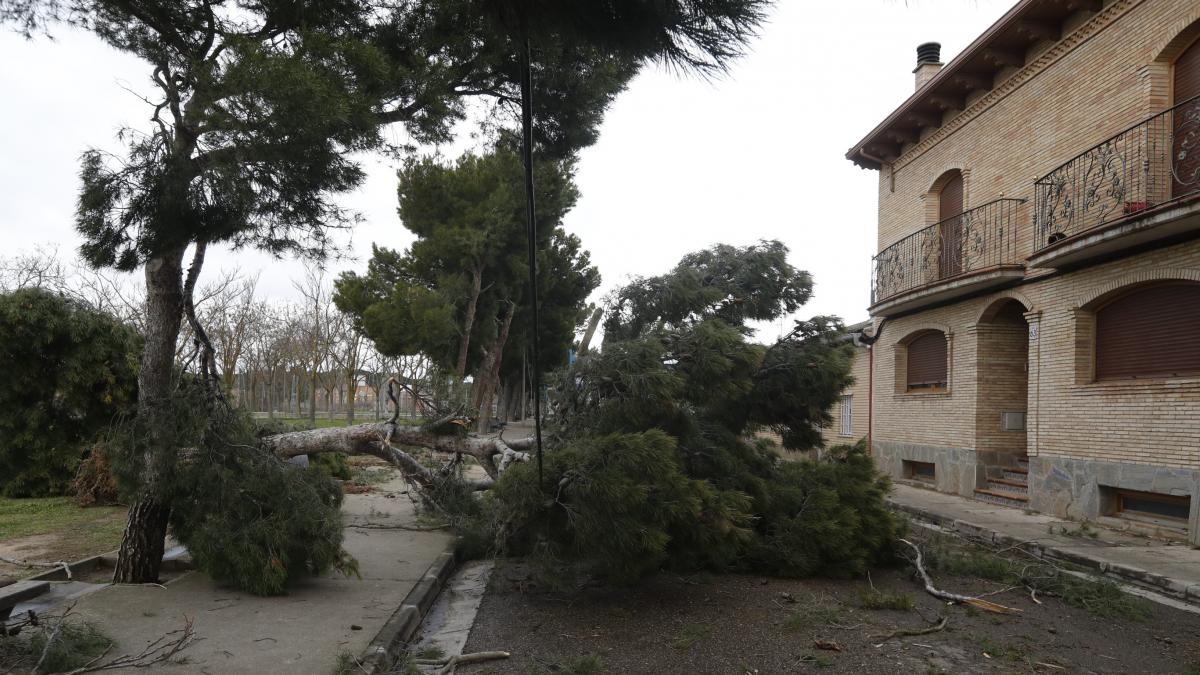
1137, 189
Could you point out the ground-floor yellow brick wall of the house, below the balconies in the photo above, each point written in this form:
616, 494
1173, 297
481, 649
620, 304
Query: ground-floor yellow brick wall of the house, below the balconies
1148, 422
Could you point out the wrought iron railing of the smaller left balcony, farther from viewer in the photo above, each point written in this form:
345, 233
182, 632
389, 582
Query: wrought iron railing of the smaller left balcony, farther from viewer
975, 241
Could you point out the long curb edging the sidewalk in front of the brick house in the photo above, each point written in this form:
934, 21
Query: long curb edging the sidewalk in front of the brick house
1135, 576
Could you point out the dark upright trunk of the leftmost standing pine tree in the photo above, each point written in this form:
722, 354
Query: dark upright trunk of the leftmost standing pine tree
146, 529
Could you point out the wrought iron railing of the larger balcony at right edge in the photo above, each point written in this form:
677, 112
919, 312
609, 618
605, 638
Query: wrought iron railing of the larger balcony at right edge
1145, 166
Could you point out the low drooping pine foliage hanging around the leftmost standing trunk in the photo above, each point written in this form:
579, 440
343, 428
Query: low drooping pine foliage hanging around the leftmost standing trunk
248, 518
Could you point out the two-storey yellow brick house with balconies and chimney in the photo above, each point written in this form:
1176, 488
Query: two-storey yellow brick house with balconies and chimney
1036, 295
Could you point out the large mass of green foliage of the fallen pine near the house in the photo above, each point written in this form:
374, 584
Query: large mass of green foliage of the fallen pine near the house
652, 461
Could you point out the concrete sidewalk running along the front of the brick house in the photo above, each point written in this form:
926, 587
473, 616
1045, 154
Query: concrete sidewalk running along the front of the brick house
1171, 569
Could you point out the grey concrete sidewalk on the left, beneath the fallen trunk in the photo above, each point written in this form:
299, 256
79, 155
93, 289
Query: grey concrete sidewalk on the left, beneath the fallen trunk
302, 632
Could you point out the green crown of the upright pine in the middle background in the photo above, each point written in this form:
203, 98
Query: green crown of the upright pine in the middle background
470, 222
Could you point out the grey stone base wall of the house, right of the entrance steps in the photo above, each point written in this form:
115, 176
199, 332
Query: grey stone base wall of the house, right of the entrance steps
1071, 488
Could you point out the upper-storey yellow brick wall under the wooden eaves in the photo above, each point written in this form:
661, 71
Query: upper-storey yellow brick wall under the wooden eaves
1099, 81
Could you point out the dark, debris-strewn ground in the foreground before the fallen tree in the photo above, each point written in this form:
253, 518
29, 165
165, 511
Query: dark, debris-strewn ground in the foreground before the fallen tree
740, 625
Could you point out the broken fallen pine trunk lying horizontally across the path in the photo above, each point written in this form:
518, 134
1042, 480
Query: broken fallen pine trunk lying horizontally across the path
382, 439
